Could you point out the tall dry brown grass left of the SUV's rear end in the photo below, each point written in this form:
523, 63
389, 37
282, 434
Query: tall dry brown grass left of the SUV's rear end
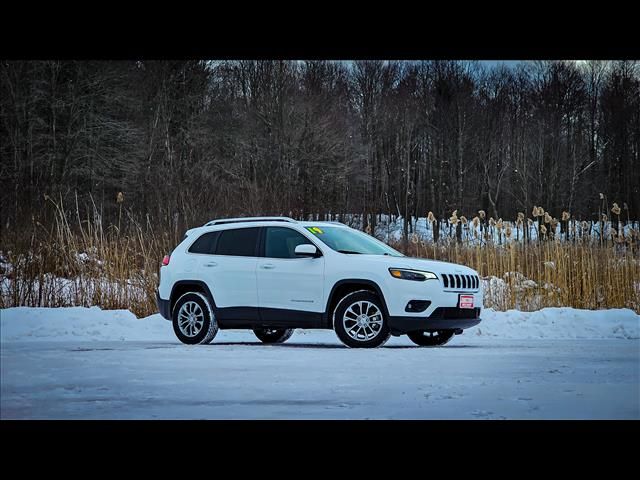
80, 262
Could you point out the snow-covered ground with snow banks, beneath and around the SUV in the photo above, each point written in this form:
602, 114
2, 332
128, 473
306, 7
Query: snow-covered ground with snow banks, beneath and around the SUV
79, 363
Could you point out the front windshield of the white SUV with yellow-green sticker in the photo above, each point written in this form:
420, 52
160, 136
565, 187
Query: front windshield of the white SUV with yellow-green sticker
347, 240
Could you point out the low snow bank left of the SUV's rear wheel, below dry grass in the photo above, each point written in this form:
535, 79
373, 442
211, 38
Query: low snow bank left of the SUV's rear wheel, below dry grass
82, 324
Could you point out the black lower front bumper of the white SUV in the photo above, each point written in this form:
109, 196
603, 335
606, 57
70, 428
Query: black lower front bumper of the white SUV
441, 319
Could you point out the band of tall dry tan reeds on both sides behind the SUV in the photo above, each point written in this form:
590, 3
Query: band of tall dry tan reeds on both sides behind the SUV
78, 261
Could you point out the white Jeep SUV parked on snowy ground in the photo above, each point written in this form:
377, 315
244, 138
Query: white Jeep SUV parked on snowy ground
275, 274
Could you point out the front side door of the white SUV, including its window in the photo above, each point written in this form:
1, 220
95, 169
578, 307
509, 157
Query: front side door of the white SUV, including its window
287, 284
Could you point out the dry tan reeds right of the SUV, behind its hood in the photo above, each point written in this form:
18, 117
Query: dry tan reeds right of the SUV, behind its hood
548, 274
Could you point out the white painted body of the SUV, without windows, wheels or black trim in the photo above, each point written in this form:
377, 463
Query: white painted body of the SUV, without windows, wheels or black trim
233, 283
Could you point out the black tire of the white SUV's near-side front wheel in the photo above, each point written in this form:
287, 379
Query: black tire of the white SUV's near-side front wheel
379, 329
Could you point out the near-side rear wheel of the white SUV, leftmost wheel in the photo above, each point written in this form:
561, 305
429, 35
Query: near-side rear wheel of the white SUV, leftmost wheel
193, 319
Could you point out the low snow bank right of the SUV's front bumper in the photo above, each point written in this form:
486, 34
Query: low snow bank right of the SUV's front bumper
560, 323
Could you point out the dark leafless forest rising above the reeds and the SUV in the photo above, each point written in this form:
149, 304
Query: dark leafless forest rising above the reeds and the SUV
186, 141
